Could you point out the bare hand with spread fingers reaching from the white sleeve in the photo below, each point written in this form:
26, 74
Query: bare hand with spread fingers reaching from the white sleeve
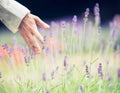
28, 30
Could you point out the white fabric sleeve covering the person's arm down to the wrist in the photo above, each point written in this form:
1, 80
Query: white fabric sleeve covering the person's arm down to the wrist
12, 13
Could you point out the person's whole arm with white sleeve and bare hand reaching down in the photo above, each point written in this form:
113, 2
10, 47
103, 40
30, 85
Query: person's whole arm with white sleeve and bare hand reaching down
18, 18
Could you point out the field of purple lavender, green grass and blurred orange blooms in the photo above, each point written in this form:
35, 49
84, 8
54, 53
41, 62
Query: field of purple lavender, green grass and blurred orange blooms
79, 56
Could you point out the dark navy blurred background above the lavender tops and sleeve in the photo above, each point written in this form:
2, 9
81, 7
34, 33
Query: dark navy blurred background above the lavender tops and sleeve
49, 10
